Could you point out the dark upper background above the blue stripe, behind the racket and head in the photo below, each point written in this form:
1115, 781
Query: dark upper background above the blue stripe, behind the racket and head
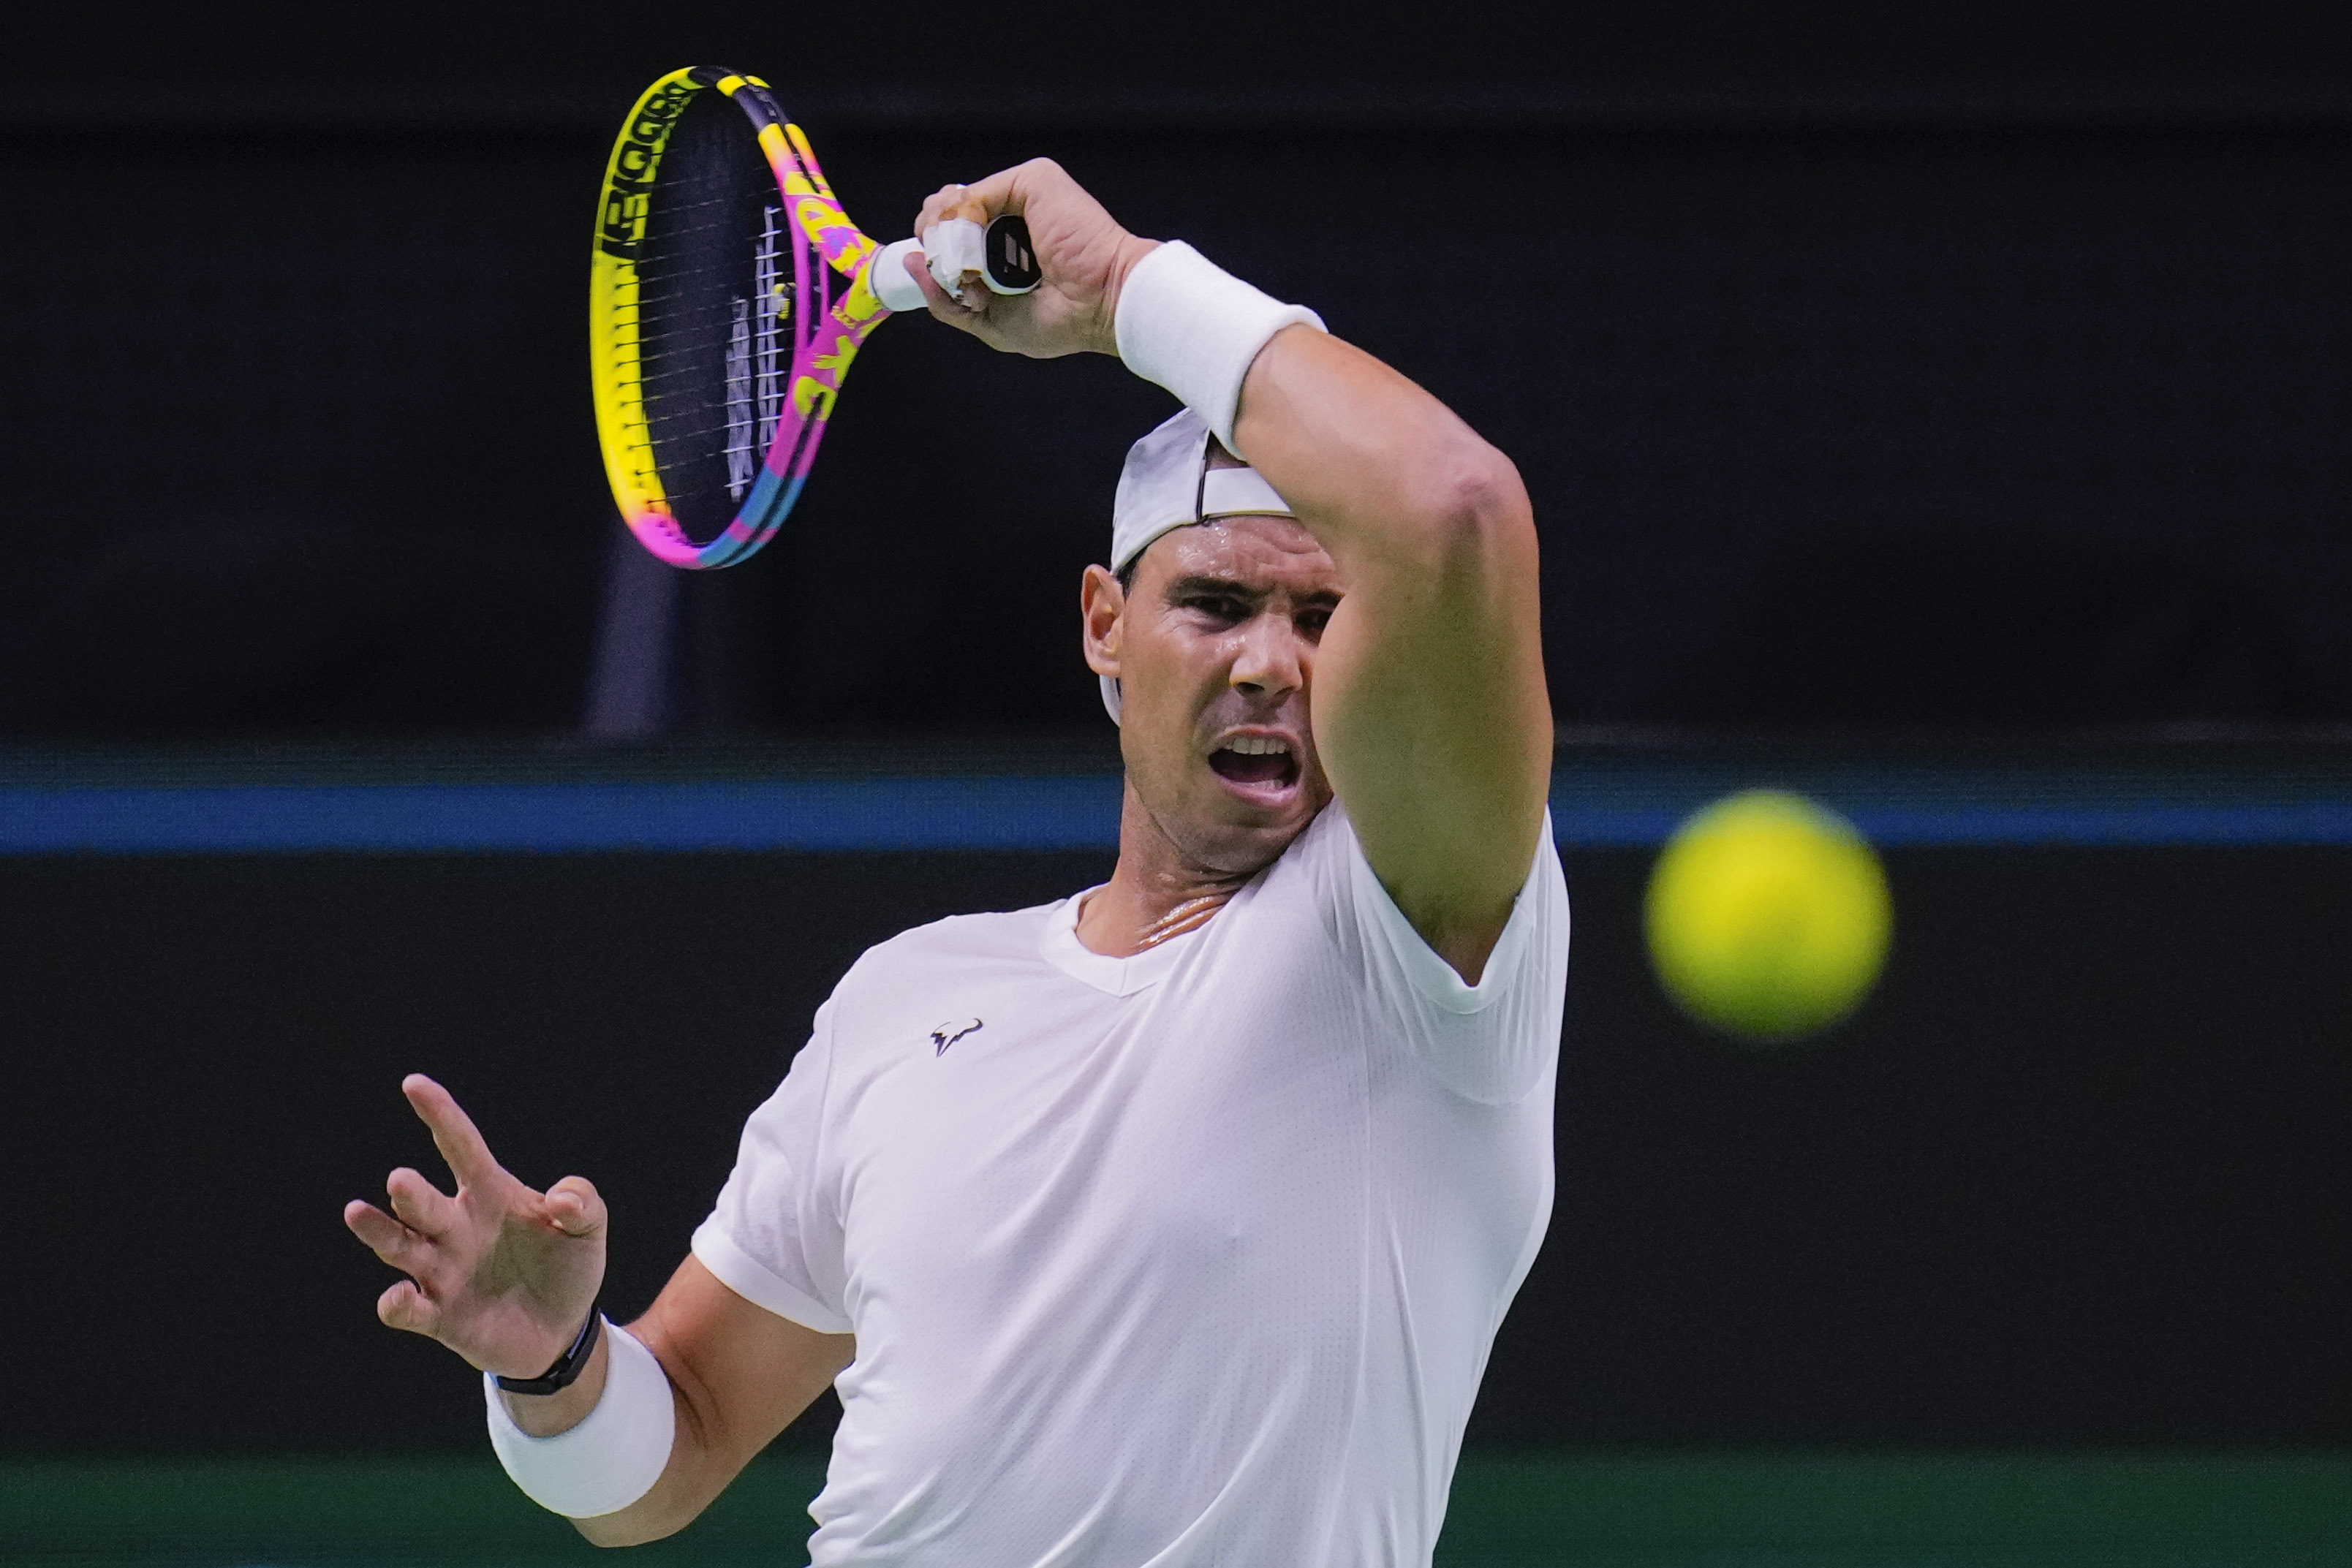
1885, 366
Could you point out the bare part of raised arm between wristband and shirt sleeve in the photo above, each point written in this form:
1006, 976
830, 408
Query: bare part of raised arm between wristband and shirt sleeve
1431, 711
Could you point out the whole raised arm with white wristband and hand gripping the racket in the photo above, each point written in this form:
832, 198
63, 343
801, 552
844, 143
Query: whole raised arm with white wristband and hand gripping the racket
1429, 704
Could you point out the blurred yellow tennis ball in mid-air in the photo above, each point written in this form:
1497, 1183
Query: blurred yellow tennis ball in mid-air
1768, 916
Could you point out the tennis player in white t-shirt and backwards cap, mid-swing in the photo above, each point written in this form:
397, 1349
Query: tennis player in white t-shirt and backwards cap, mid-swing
1168, 1224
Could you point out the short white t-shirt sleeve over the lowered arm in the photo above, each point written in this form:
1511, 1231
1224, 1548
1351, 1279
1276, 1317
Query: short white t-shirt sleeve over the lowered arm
775, 1235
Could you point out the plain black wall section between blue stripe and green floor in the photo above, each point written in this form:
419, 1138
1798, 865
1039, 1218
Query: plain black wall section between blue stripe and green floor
2073, 1177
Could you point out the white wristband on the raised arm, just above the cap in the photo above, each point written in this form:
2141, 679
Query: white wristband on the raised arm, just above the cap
1194, 328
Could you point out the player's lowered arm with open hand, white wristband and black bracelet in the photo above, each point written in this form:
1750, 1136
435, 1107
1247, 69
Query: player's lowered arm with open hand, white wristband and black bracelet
629, 1433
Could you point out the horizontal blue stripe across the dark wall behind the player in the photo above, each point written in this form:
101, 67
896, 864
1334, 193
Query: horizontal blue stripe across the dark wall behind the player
944, 815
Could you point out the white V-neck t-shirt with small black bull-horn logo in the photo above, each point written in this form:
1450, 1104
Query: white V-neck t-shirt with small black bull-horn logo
1184, 1259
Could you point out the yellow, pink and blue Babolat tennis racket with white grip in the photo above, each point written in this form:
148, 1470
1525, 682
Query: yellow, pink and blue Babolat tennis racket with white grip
728, 297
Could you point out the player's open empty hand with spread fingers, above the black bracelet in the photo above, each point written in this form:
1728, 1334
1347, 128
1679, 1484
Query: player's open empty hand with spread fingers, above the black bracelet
497, 1273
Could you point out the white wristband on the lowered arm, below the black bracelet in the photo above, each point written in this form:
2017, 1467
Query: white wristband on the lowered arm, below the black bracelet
608, 1461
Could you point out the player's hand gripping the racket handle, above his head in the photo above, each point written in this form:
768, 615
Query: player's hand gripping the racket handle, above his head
1081, 250
